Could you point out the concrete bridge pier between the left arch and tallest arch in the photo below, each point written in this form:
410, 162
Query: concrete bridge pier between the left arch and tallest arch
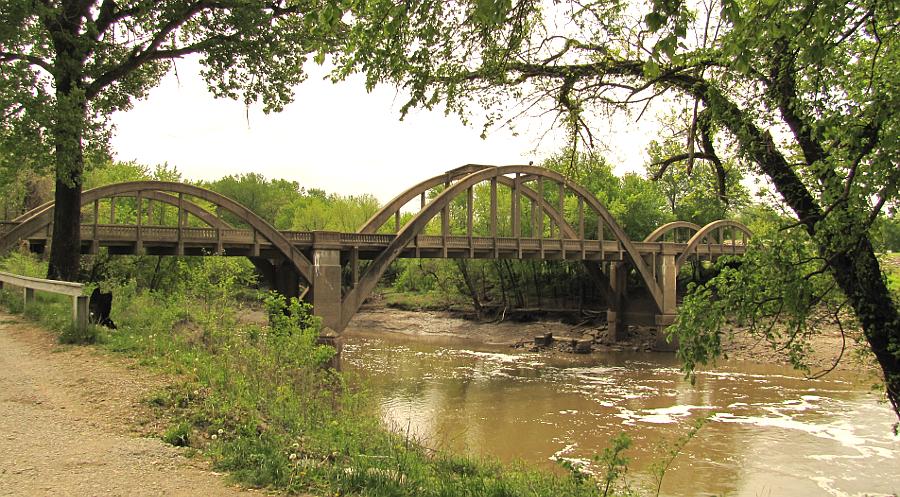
326, 276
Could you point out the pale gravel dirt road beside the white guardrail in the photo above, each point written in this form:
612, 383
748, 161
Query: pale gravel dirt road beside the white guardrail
71, 421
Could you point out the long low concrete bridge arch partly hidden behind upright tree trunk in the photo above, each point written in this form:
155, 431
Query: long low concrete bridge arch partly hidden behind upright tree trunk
41, 217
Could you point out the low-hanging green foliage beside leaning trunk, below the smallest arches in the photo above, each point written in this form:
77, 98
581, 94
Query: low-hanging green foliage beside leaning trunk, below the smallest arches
776, 298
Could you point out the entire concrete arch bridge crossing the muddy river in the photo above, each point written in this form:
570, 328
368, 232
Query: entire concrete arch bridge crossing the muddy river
519, 212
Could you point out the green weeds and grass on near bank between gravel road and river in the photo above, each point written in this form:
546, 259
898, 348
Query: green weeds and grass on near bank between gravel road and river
259, 400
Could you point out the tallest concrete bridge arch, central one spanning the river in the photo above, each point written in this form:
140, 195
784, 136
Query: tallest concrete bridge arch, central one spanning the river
467, 177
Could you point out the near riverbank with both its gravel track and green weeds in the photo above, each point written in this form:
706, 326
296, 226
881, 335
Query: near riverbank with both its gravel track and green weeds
255, 402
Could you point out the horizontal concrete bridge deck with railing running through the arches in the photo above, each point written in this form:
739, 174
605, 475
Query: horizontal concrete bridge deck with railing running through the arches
162, 240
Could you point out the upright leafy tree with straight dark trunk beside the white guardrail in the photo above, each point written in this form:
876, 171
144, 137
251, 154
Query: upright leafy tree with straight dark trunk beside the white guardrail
66, 65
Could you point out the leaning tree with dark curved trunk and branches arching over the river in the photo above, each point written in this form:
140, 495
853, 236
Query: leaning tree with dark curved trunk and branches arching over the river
804, 90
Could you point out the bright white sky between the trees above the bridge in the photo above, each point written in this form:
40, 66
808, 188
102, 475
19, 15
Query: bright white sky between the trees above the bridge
334, 136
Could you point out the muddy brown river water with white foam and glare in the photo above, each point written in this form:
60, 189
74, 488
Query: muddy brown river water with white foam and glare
770, 432
